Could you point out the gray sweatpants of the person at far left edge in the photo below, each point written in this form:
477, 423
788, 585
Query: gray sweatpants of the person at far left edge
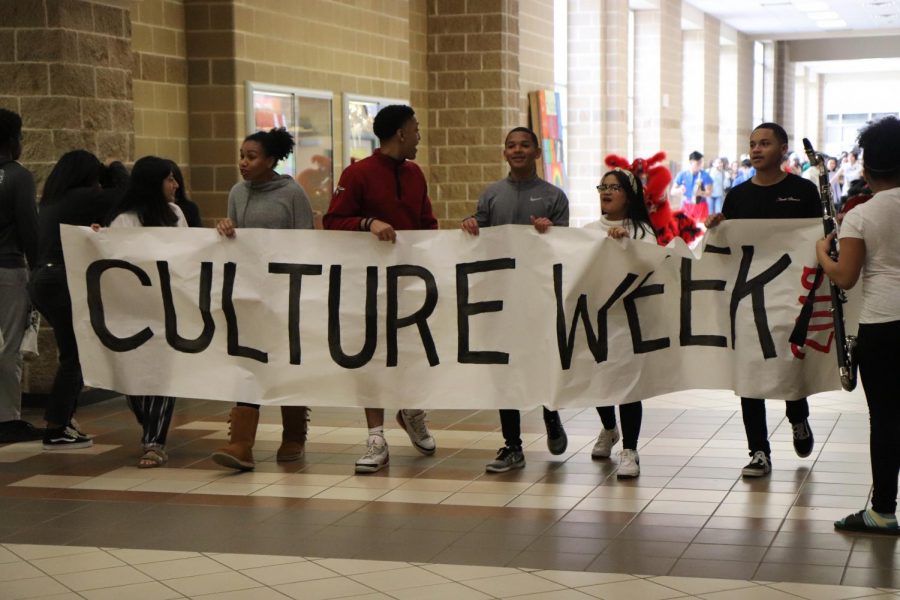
14, 309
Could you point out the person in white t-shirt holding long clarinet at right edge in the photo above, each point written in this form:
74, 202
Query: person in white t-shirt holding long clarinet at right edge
870, 246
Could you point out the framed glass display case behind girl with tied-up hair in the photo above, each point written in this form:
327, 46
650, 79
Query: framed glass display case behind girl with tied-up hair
307, 114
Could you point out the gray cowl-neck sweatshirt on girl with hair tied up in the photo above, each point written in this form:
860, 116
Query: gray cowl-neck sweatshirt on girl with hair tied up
277, 204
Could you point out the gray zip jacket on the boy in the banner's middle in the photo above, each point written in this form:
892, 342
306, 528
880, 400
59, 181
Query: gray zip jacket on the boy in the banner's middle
512, 202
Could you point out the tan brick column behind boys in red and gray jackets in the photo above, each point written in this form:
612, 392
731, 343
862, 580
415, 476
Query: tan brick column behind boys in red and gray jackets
473, 99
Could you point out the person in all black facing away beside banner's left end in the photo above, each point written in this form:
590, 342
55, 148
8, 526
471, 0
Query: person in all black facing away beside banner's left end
72, 196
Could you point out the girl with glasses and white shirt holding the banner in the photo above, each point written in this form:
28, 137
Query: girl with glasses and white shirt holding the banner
623, 215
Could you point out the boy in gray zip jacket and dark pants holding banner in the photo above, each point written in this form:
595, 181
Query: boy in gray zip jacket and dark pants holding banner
522, 198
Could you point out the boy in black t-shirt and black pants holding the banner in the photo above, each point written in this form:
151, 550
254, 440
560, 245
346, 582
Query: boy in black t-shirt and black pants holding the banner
771, 194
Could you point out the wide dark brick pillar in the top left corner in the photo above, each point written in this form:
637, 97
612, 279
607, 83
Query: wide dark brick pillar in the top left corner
66, 67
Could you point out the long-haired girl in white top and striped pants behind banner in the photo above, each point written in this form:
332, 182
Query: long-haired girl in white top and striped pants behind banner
149, 201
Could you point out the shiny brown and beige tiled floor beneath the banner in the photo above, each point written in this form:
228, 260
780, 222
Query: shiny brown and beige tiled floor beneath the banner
564, 527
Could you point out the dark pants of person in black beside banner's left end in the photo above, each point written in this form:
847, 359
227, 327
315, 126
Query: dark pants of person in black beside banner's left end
50, 295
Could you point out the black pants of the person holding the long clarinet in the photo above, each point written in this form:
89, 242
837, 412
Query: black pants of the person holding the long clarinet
879, 361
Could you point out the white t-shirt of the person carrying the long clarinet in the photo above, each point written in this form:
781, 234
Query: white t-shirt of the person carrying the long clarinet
875, 222
